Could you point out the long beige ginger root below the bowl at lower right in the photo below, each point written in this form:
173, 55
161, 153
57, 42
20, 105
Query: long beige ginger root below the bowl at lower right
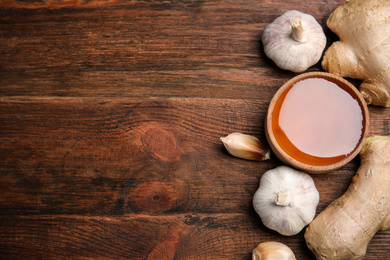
344, 229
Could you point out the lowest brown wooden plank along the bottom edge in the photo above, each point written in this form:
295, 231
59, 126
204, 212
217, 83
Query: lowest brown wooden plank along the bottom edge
200, 236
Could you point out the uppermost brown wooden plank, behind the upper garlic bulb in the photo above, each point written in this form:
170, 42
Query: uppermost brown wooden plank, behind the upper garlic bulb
141, 48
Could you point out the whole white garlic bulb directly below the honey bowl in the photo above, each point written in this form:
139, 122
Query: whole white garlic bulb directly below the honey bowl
286, 200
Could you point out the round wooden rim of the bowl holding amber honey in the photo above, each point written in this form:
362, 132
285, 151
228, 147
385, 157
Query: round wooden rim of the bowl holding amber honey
286, 158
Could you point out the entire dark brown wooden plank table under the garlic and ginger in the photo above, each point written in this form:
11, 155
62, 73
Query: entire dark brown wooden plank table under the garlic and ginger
111, 113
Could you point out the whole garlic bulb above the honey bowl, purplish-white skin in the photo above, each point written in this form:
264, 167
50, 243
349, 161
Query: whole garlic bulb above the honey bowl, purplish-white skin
294, 41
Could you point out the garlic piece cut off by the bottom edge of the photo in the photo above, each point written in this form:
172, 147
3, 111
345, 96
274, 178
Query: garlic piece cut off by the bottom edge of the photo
272, 251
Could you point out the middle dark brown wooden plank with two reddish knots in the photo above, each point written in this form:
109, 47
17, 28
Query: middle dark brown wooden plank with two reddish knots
74, 156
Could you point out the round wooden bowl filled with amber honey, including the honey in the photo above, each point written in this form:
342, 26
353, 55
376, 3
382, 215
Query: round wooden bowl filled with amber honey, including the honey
317, 121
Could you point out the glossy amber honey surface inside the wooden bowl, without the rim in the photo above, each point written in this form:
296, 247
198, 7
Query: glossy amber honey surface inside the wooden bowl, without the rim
317, 122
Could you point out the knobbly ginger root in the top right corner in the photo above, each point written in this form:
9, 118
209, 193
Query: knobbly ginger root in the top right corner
363, 51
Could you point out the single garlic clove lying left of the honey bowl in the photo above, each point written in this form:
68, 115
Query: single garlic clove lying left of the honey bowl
246, 147
